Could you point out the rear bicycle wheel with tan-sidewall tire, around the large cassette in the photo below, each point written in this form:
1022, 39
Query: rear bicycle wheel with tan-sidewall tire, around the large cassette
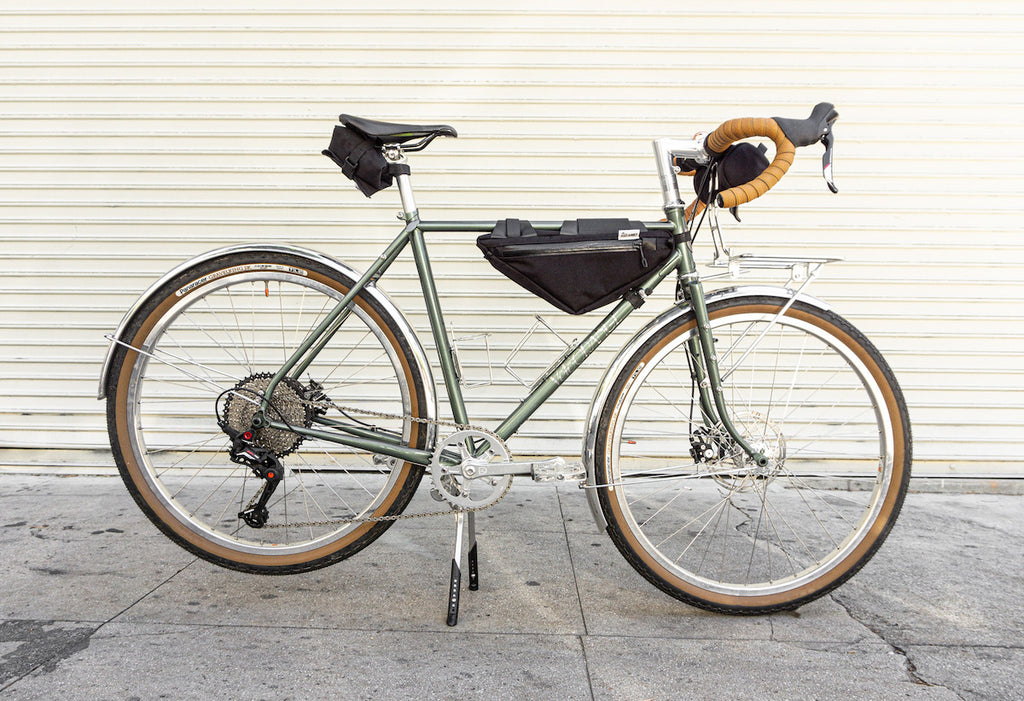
217, 333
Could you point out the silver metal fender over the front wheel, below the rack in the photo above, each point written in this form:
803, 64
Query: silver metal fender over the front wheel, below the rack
642, 337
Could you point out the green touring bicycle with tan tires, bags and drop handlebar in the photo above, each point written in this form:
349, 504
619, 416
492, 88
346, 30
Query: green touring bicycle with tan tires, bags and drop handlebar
272, 411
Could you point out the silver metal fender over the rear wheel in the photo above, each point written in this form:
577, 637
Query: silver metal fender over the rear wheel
390, 308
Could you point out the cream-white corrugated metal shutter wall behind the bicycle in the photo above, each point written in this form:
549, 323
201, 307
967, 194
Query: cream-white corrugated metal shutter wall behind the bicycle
133, 139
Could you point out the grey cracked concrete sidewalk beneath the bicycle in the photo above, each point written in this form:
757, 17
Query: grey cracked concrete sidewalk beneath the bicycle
97, 604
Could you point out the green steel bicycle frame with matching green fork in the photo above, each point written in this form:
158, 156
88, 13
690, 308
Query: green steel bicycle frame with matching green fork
705, 364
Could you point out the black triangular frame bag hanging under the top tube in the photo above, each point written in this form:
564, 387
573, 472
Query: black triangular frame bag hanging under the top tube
581, 268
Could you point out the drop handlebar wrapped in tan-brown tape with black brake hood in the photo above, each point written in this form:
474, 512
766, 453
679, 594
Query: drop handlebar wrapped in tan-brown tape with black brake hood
787, 134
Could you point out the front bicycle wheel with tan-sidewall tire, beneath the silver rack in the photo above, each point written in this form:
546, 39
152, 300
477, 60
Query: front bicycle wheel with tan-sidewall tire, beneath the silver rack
692, 512
